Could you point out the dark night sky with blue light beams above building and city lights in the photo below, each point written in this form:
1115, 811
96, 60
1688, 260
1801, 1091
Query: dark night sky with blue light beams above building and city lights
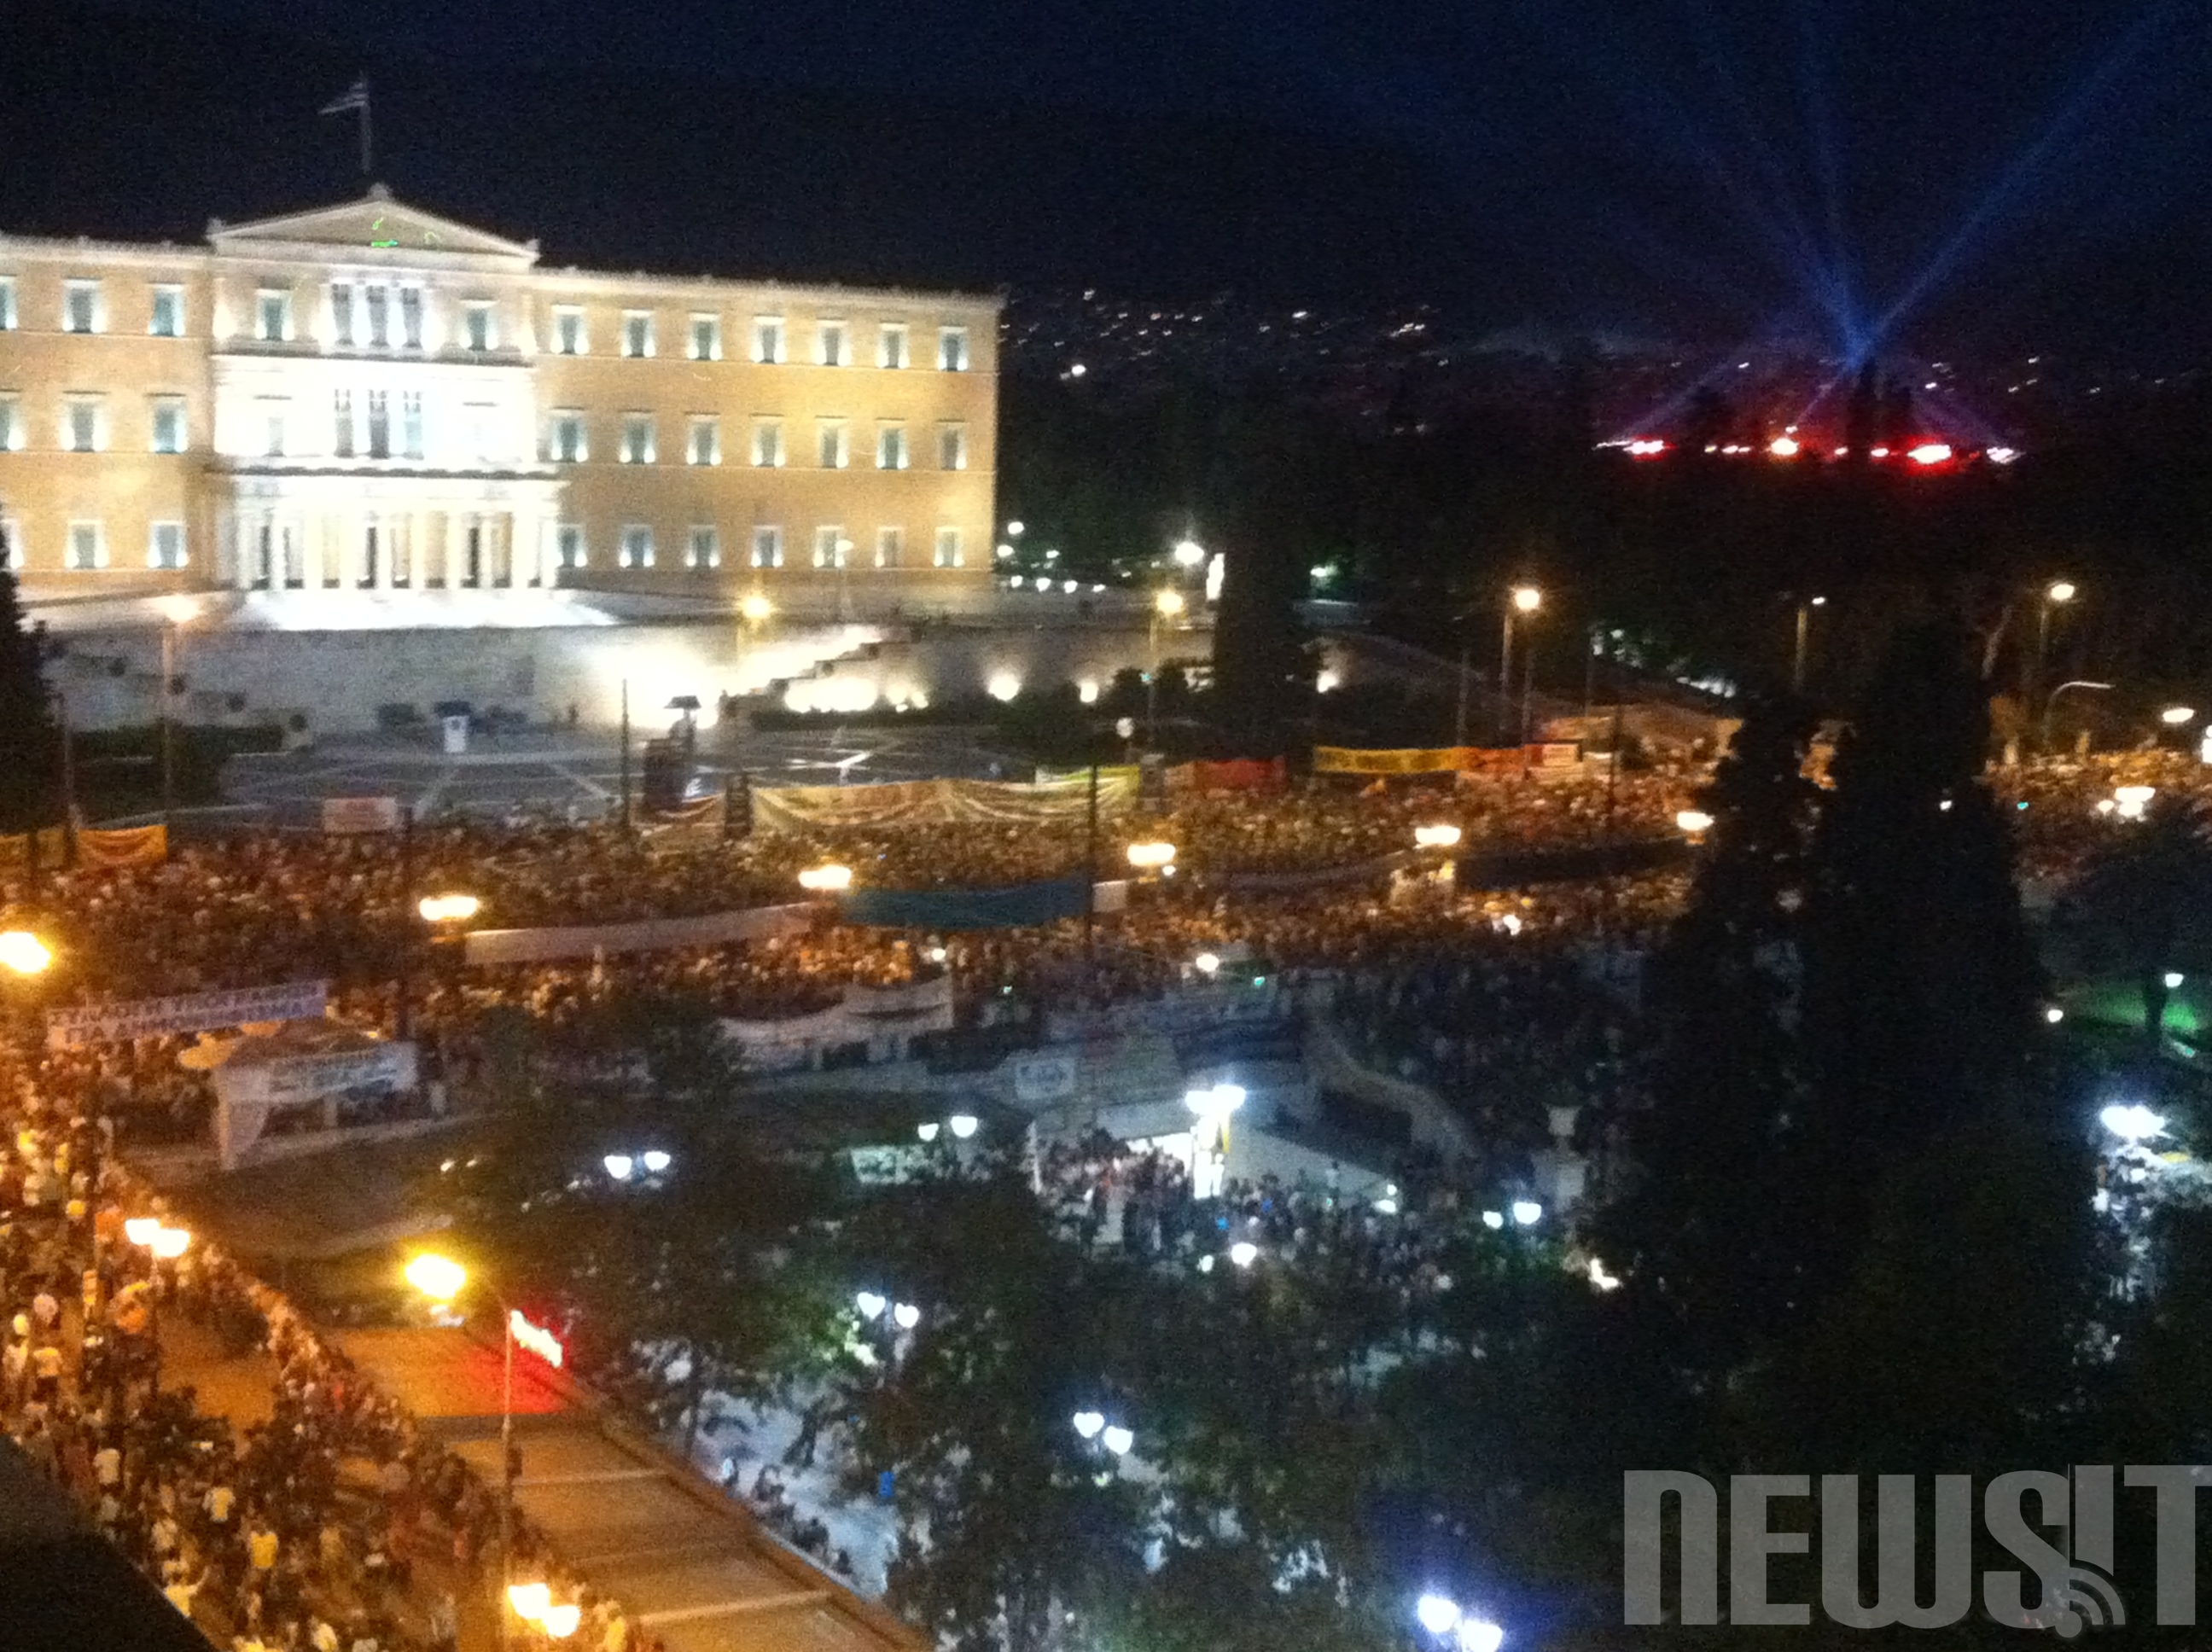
1948, 176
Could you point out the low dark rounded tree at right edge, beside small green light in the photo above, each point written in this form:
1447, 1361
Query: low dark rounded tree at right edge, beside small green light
2145, 906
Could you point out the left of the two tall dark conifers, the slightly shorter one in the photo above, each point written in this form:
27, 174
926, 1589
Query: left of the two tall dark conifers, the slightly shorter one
1709, 1233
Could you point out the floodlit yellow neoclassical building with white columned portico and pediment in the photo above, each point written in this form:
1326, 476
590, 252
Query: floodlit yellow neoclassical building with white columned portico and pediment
371, 399
